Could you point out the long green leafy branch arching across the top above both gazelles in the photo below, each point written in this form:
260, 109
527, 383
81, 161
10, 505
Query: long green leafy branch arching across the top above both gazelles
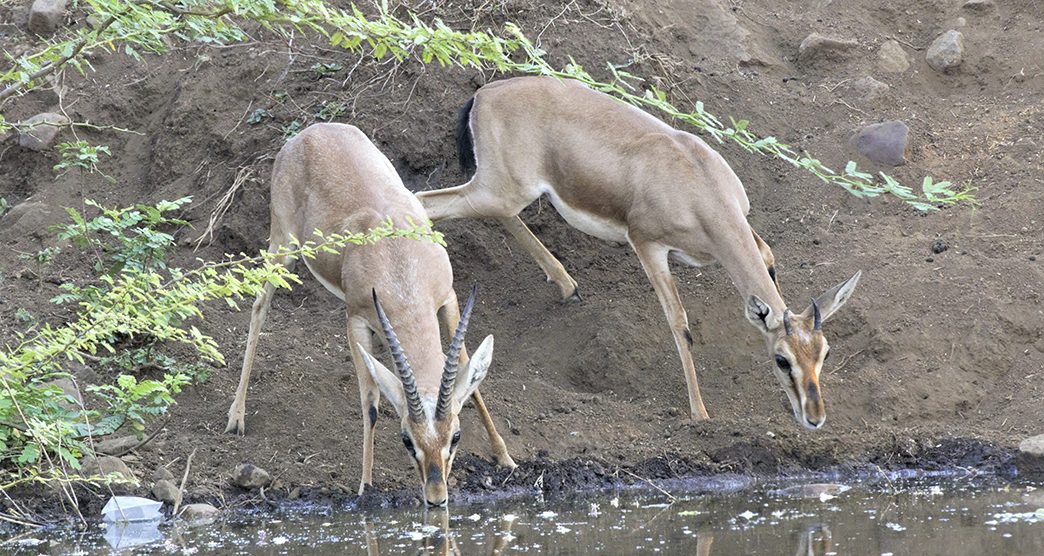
144, 28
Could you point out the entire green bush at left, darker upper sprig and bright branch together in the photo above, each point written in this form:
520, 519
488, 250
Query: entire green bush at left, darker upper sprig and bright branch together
146, 302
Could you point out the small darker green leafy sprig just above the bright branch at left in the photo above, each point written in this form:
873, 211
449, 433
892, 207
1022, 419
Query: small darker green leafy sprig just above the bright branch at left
127, 238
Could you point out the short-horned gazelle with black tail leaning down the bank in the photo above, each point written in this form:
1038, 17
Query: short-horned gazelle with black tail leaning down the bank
619, 174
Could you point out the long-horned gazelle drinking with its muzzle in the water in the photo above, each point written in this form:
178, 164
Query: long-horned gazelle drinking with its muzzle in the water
330, 178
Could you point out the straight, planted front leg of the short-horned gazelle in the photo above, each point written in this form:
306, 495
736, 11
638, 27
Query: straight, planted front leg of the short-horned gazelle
654, 259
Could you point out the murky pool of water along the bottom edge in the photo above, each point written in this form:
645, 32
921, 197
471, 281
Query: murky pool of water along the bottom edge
945, 518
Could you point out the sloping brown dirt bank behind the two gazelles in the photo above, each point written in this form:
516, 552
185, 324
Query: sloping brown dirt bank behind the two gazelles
938, 359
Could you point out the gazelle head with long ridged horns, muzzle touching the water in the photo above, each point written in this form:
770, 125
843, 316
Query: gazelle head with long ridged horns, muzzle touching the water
431, 427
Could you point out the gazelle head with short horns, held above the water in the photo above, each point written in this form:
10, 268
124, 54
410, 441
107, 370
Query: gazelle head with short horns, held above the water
798, 348
